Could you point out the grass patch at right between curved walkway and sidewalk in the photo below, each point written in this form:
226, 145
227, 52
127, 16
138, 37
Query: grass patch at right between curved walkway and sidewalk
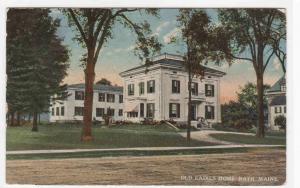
249, 139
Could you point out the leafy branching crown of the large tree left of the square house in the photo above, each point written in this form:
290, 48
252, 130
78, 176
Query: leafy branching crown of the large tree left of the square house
94, 29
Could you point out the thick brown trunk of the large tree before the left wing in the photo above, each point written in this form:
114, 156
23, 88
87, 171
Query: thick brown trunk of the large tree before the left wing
88, 102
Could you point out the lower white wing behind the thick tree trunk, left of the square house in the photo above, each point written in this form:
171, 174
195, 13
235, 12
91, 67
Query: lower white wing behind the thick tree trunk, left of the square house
107, 100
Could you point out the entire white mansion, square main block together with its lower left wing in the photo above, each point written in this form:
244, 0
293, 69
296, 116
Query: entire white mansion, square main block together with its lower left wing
158, 92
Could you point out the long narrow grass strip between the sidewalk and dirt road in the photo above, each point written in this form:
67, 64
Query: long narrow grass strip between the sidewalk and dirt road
97, 154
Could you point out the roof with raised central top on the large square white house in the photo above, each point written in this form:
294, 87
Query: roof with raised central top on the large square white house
170, 60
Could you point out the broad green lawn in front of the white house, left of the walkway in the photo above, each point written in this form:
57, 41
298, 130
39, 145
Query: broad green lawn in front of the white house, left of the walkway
64, 136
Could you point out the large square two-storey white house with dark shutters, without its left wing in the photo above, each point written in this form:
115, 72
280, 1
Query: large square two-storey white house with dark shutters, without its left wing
160, 91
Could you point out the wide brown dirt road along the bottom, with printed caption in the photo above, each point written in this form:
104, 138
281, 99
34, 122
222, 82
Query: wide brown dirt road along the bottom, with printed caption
260, 167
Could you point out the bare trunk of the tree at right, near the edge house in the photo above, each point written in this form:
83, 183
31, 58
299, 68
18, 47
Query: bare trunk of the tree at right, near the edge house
260, 106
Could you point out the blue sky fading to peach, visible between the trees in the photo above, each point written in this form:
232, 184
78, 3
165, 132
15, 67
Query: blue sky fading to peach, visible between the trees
117, 54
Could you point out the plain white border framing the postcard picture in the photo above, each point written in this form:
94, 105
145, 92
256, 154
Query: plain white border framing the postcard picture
293, 67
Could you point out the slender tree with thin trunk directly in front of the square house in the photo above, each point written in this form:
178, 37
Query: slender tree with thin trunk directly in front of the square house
196, 28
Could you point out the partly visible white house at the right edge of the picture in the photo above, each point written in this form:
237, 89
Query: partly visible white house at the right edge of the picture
276, 97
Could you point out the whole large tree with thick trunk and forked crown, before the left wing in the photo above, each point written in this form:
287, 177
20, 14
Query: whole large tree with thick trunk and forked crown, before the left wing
94, 29
